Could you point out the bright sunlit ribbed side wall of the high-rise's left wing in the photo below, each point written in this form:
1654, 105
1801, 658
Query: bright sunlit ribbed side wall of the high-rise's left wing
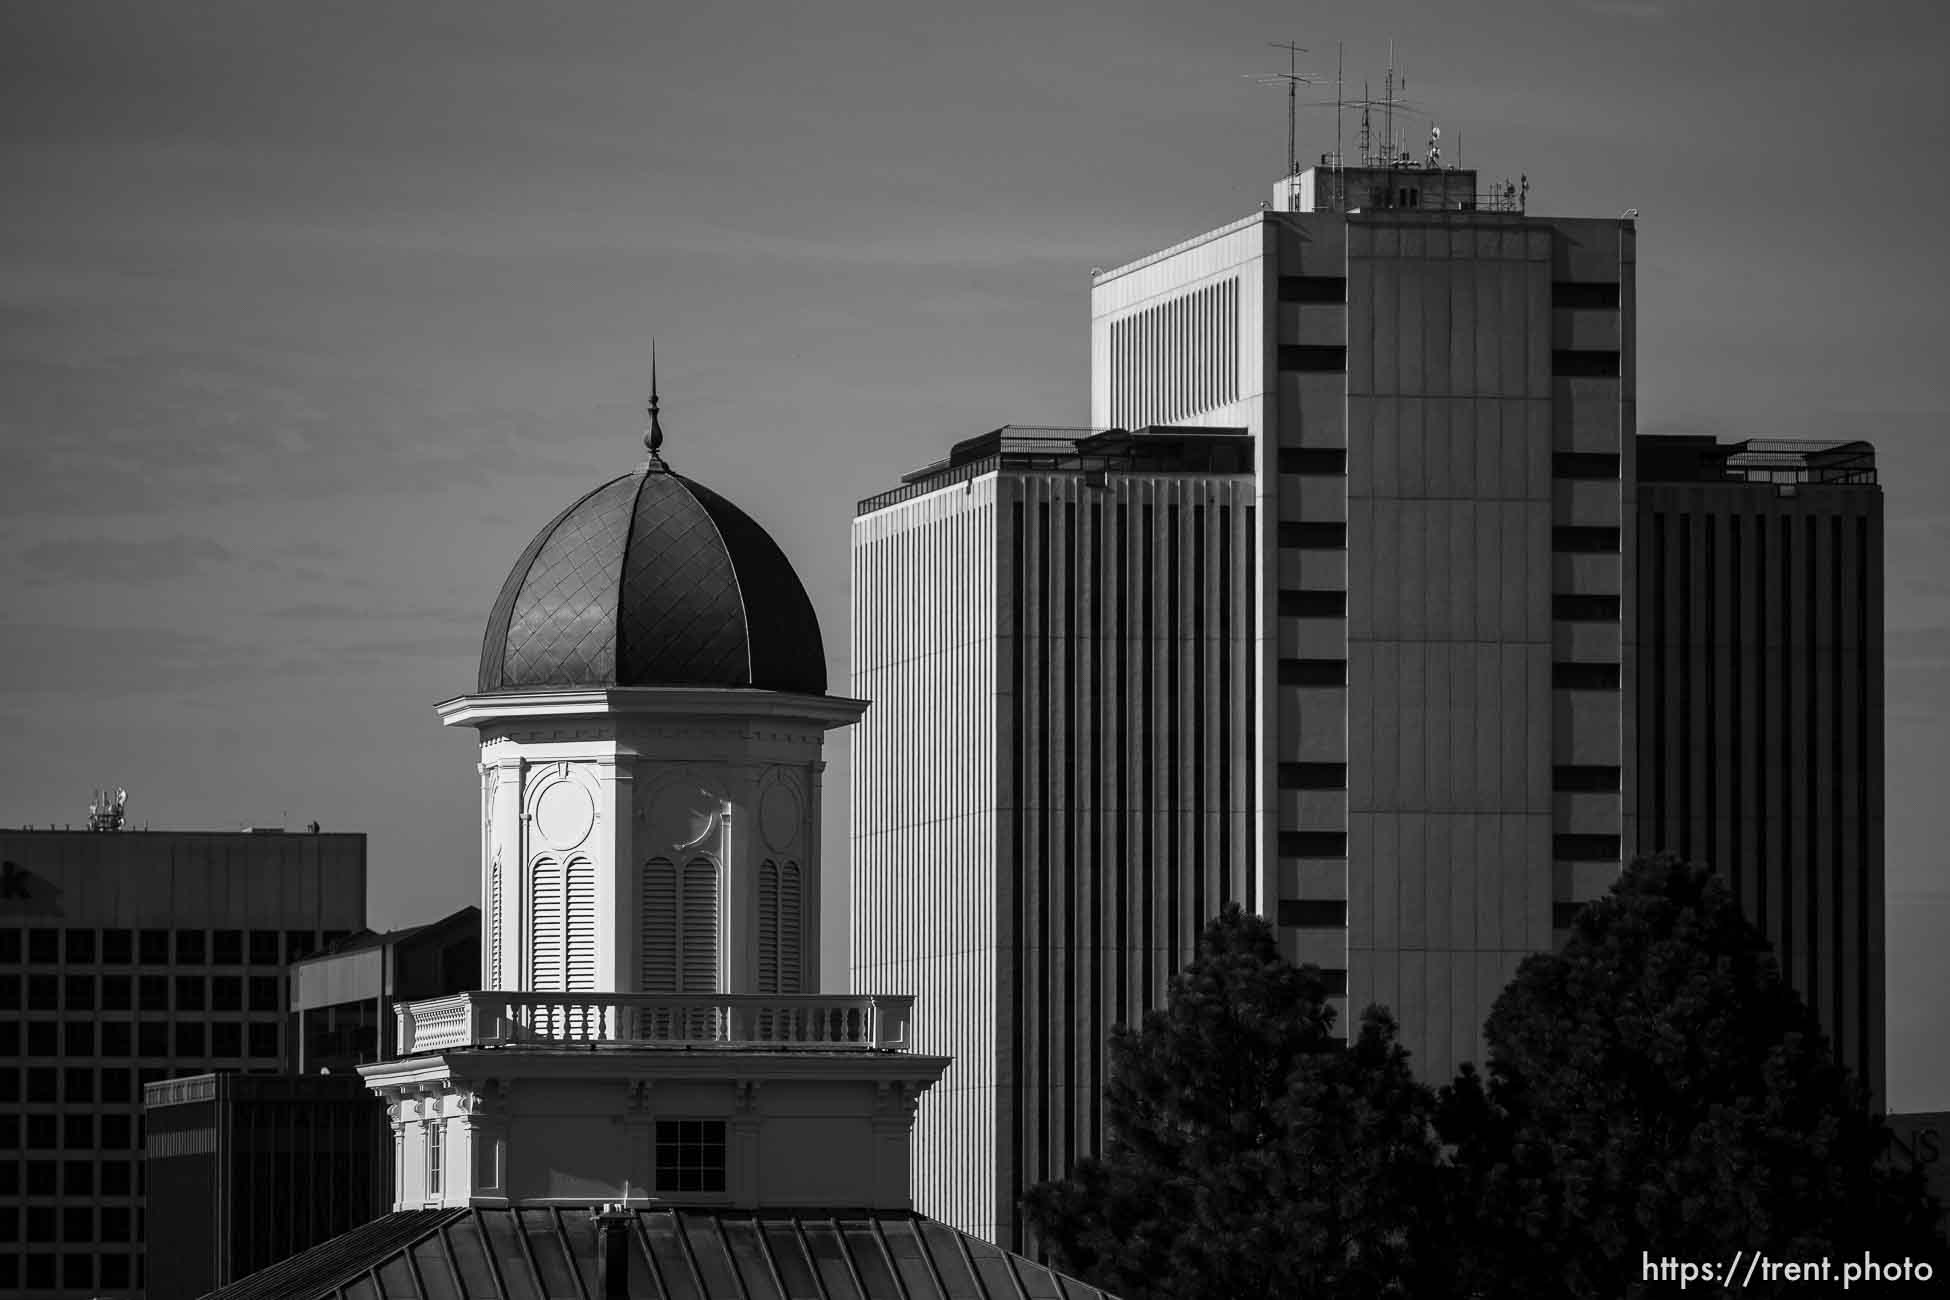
927, 822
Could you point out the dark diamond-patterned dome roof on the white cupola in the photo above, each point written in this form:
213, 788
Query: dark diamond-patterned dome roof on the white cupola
654, 582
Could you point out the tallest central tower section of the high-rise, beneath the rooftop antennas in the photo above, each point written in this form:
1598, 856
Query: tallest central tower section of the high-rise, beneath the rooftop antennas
1438, 387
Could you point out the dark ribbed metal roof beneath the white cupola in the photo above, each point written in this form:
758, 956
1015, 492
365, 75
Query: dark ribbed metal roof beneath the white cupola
654, 1254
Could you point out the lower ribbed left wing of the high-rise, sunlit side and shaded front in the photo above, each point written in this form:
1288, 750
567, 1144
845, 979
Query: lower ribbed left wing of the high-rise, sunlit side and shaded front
1052, 790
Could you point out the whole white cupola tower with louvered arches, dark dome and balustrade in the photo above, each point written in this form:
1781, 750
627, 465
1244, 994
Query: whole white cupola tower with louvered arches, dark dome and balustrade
652, 710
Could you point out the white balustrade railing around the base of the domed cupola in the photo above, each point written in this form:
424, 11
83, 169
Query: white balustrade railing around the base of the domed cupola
820, 1022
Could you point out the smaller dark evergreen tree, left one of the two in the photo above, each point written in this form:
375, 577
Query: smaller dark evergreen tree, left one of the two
1249, 1153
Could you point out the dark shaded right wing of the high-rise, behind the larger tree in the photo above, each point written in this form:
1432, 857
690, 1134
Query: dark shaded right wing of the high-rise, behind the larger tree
1760, 703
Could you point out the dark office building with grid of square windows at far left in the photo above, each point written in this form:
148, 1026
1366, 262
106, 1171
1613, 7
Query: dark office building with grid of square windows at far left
130, 958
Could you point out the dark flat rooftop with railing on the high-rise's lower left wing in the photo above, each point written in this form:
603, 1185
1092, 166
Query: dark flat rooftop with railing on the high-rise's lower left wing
1048, 449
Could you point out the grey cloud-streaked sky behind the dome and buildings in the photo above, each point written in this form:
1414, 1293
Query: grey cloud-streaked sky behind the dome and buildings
313, 315
